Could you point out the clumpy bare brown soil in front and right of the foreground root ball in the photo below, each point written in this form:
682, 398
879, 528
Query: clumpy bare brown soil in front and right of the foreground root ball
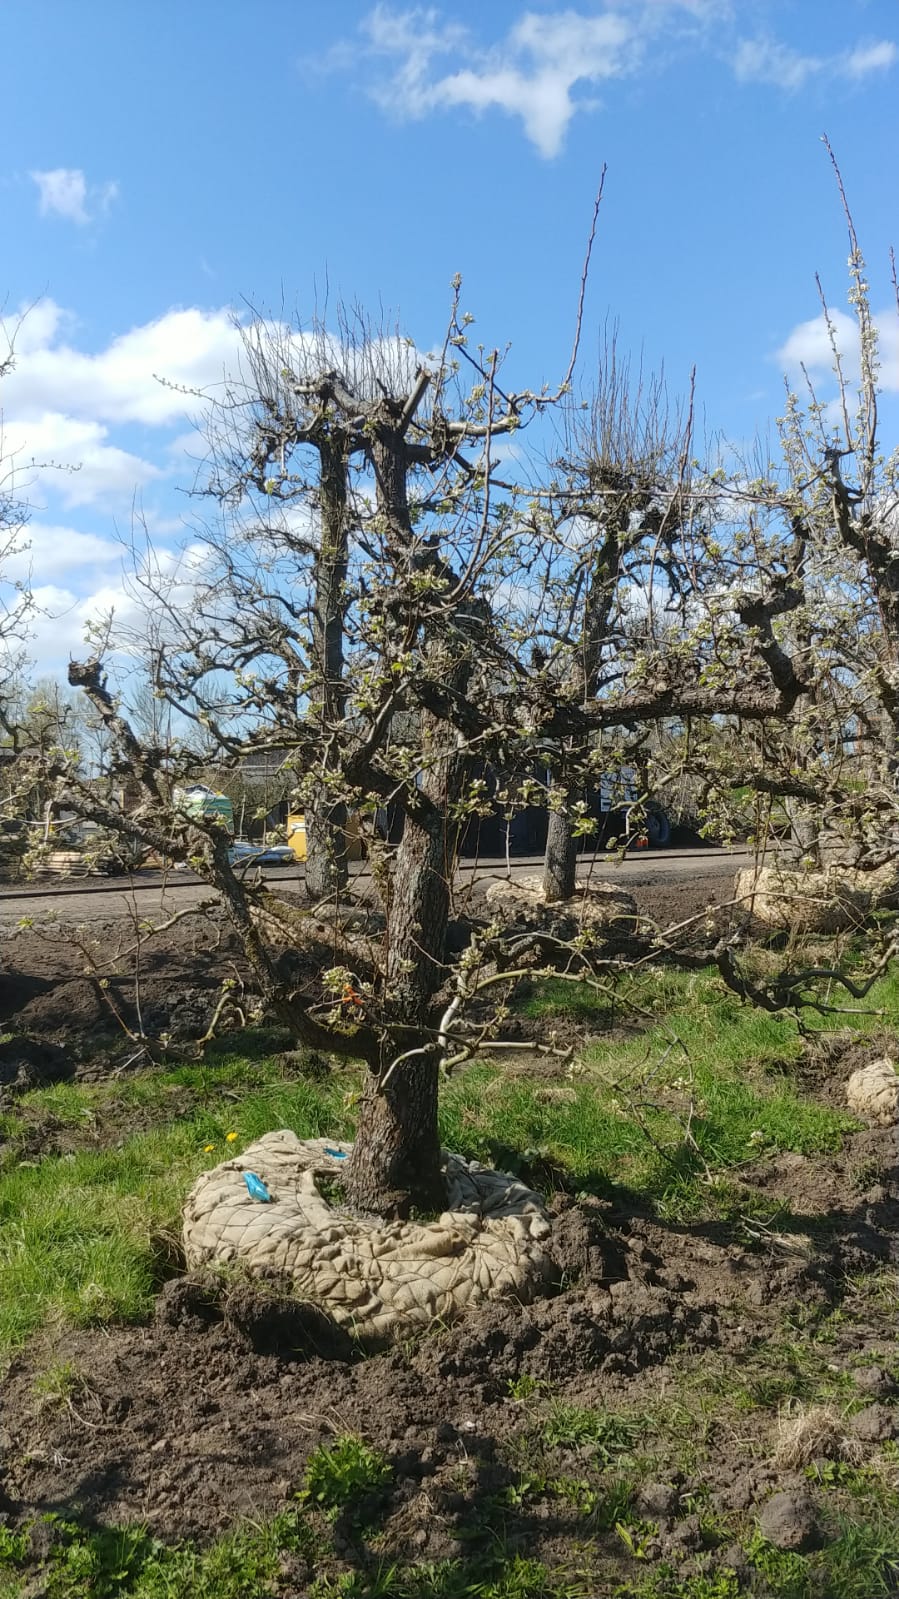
210, 1413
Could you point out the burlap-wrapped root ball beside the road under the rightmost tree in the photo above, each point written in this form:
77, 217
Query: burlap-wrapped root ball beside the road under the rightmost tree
831, 901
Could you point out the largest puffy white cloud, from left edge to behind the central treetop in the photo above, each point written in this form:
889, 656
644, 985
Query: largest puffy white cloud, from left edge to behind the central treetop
66, 409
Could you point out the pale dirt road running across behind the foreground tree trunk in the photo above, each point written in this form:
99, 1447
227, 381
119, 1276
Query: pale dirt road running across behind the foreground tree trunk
153, 896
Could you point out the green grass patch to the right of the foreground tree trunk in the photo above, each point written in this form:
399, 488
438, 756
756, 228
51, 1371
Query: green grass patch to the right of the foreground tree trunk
713, 1064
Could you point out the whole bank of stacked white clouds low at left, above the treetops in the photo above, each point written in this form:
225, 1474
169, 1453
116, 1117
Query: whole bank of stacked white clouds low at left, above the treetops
90, 431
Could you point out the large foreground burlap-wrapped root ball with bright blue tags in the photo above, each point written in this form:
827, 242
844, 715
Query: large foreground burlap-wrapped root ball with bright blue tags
378, 1280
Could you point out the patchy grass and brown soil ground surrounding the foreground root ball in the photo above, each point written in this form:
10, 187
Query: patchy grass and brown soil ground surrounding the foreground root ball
708, 1408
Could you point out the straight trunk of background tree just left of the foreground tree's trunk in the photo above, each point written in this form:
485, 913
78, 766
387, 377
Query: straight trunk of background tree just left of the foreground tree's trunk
327, 819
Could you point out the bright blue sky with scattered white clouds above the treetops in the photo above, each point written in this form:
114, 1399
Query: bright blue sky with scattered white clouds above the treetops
167, 164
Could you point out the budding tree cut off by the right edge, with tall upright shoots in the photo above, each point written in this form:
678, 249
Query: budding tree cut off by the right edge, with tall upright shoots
823, 524
